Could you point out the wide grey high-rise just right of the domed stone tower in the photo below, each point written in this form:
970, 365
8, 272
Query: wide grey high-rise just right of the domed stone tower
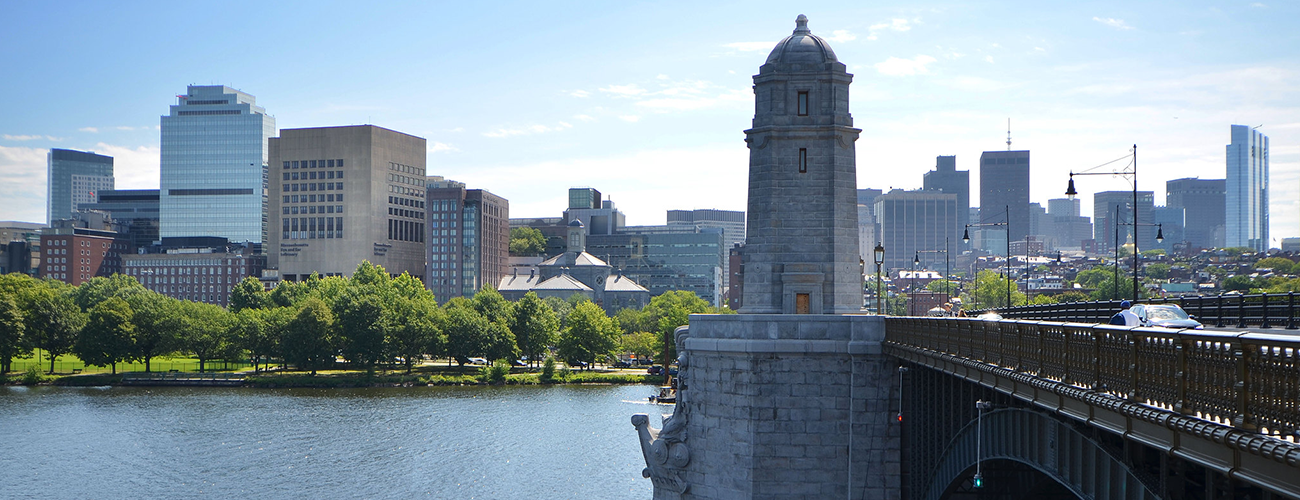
917, 225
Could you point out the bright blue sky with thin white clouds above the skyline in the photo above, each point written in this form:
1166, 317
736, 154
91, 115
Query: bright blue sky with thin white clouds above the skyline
648, 102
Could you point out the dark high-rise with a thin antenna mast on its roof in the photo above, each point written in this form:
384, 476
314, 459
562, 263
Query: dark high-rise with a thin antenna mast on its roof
1004, 185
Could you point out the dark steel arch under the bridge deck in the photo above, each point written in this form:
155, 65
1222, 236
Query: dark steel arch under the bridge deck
1035, 440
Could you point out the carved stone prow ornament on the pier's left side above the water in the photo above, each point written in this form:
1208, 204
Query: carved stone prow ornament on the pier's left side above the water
665, 450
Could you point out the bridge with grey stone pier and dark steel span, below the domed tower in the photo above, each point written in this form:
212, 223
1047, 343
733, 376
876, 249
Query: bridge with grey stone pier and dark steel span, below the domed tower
868, 407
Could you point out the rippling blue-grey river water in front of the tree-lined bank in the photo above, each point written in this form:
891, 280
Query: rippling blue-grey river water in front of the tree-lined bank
562, 442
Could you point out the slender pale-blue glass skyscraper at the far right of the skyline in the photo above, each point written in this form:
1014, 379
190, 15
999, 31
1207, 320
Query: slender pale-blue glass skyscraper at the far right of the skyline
1246, 203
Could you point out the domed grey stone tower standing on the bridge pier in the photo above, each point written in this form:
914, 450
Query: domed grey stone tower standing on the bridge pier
801, 253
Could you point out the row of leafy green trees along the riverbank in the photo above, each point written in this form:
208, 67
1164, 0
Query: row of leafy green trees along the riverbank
367, 320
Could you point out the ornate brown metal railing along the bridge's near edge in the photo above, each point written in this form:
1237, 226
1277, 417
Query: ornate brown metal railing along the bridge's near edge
1246, 381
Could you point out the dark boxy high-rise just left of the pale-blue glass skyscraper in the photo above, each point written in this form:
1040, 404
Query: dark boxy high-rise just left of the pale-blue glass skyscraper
1202, 203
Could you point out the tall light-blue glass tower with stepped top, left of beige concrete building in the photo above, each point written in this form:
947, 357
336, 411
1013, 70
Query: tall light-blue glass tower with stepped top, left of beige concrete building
214, 166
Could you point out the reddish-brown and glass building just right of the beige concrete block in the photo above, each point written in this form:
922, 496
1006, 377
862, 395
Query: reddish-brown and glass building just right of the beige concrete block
469, 240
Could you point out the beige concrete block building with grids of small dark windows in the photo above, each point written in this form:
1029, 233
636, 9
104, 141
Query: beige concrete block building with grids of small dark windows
344, 195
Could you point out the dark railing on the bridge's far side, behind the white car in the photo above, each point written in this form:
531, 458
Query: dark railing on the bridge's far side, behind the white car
1234, 311
